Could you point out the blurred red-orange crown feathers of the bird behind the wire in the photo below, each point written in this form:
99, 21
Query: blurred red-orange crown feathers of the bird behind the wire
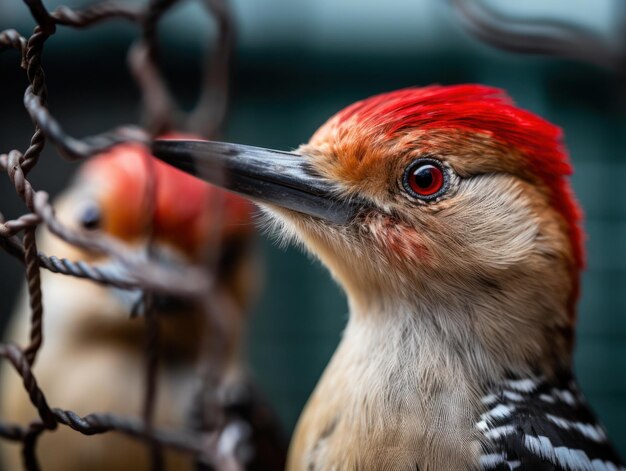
184, 211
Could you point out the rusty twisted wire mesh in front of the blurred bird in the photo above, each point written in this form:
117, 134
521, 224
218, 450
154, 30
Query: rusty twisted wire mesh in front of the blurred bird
161, 114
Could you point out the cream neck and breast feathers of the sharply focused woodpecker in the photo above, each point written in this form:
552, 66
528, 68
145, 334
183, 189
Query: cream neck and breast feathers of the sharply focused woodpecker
401, 392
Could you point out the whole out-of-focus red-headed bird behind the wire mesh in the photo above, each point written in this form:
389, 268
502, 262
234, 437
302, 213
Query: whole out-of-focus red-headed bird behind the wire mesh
93, 359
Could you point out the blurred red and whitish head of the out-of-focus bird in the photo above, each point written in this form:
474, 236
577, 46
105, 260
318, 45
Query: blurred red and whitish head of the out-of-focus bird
127, 194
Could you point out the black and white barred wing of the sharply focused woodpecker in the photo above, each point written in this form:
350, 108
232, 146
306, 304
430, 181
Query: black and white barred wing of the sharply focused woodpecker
530, 424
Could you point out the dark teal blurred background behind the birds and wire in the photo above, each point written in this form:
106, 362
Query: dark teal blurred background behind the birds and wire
298, 62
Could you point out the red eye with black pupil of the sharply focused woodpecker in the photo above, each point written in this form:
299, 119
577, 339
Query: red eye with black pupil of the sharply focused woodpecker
425, 179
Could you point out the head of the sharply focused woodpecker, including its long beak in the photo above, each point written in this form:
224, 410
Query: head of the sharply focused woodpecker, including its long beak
440, 203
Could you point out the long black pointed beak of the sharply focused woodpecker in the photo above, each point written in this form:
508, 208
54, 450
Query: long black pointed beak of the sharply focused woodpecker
267, 176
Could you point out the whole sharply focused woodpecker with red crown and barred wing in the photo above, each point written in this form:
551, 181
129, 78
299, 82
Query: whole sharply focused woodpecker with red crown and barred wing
446, 215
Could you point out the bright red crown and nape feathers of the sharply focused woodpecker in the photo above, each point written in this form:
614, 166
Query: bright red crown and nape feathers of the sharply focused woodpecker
473, 109
